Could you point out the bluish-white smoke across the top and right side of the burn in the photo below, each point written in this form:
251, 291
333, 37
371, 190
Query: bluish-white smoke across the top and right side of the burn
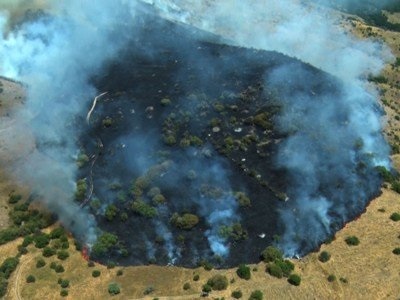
333, 132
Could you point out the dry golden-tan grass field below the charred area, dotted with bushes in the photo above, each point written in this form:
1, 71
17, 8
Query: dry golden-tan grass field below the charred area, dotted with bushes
371, 269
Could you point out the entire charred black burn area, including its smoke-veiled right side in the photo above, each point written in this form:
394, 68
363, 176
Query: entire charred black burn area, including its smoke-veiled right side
180, 162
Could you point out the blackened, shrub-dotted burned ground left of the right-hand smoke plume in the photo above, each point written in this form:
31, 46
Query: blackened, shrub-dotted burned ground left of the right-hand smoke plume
172, 84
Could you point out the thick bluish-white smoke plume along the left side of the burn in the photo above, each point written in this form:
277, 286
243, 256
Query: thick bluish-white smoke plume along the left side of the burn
55, 55
